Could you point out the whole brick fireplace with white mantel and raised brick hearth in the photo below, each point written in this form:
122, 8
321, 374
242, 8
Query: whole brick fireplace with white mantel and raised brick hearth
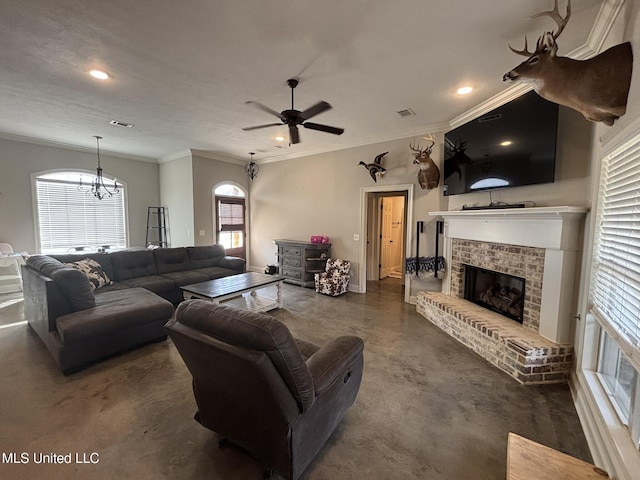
539, 245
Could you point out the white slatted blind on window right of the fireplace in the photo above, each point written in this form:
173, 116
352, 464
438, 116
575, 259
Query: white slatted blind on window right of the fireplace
616, 286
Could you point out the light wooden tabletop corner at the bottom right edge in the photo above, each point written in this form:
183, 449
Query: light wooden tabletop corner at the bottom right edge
528, 460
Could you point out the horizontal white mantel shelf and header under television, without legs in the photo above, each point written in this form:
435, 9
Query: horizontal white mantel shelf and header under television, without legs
542, 227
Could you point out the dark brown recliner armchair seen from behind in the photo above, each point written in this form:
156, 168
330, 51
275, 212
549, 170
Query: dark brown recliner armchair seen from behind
278, 397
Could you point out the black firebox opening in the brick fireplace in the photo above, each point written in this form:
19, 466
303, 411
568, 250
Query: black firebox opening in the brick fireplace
496, 291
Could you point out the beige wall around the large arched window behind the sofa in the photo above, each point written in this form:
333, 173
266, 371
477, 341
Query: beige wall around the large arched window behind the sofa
19, 160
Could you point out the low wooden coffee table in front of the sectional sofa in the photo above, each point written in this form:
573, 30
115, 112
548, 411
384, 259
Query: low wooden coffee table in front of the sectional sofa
231, 290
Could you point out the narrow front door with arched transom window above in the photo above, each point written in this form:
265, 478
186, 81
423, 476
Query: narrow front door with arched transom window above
230, 211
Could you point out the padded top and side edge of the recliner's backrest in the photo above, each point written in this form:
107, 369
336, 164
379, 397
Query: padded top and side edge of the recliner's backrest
254, 331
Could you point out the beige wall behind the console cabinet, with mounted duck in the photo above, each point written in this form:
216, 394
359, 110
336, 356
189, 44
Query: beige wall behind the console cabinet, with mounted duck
320, 195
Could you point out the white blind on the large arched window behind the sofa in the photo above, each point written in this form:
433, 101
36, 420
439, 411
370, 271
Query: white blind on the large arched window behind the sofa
68, 217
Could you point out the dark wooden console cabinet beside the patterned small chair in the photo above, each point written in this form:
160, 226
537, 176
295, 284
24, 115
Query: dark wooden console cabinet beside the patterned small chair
298, 261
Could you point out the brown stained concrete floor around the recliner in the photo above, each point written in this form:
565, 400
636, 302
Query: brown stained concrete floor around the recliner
428, 408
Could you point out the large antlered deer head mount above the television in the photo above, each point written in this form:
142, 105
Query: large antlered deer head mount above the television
598, 87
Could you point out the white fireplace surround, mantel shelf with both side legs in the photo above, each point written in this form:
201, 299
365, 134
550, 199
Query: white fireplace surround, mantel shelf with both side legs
557, 230
